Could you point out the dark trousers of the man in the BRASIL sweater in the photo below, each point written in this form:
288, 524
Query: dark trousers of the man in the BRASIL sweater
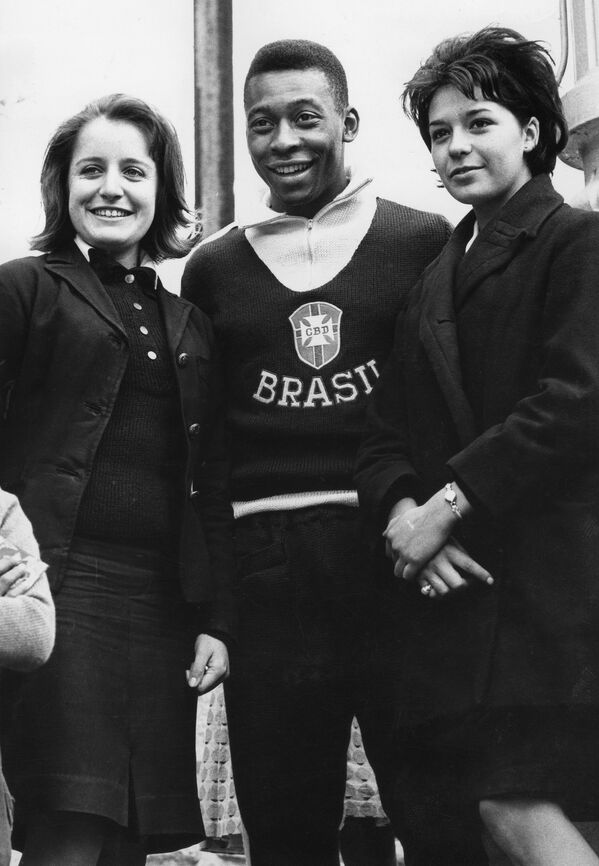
311, 655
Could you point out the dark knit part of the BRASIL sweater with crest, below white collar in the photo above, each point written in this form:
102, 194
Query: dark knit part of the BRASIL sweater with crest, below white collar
300, 366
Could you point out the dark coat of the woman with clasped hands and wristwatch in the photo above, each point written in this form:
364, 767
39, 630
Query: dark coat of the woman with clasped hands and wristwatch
494, 381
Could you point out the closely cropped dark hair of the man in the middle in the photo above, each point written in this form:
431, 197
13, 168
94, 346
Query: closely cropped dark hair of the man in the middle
301, 54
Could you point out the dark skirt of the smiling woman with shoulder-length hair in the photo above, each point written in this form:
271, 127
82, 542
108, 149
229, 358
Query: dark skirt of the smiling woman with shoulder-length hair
107, 726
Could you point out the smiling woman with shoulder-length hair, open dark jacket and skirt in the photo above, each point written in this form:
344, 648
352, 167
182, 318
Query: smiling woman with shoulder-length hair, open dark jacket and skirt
112, 436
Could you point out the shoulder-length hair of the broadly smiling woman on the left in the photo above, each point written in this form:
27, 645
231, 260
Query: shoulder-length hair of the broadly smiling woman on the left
163, 239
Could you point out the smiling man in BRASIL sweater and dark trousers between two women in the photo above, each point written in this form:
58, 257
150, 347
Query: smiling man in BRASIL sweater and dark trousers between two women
303, 293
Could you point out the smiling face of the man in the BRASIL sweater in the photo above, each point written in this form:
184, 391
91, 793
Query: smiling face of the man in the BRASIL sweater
296, 136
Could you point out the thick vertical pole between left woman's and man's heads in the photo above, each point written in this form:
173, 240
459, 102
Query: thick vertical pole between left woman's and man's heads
213, 69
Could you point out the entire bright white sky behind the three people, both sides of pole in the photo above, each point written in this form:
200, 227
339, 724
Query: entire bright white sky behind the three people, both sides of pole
56, 55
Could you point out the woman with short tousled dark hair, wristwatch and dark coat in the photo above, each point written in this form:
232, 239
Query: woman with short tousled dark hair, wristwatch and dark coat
482, 468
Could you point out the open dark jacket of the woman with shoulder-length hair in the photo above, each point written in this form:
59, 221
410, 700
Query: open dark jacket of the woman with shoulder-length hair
63, 353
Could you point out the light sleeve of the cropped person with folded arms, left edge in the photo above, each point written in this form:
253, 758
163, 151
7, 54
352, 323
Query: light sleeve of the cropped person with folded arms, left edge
26, 621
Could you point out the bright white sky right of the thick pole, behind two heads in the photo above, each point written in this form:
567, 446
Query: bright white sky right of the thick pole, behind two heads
381, 44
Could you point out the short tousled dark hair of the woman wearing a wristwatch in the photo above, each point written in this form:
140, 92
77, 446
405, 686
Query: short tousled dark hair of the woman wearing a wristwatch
508, 69
